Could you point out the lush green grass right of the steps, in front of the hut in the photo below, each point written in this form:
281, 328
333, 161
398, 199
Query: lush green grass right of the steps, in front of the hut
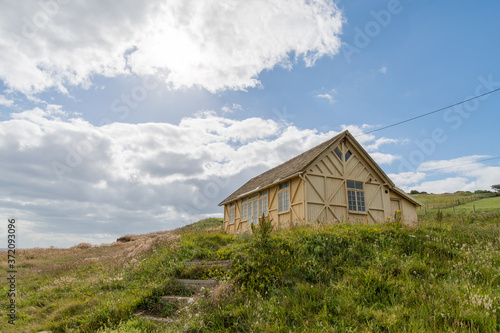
437, 277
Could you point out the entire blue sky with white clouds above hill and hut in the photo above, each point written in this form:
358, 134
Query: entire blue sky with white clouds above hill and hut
132, 118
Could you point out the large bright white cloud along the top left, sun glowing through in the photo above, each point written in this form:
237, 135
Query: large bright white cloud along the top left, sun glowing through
214, 44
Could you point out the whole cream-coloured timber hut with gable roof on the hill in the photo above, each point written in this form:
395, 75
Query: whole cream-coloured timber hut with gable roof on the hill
333, 182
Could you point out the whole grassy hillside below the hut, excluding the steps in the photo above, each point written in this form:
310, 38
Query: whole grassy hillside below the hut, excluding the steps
440, 276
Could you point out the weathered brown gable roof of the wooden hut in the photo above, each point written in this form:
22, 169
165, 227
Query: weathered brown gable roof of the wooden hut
298, 165
